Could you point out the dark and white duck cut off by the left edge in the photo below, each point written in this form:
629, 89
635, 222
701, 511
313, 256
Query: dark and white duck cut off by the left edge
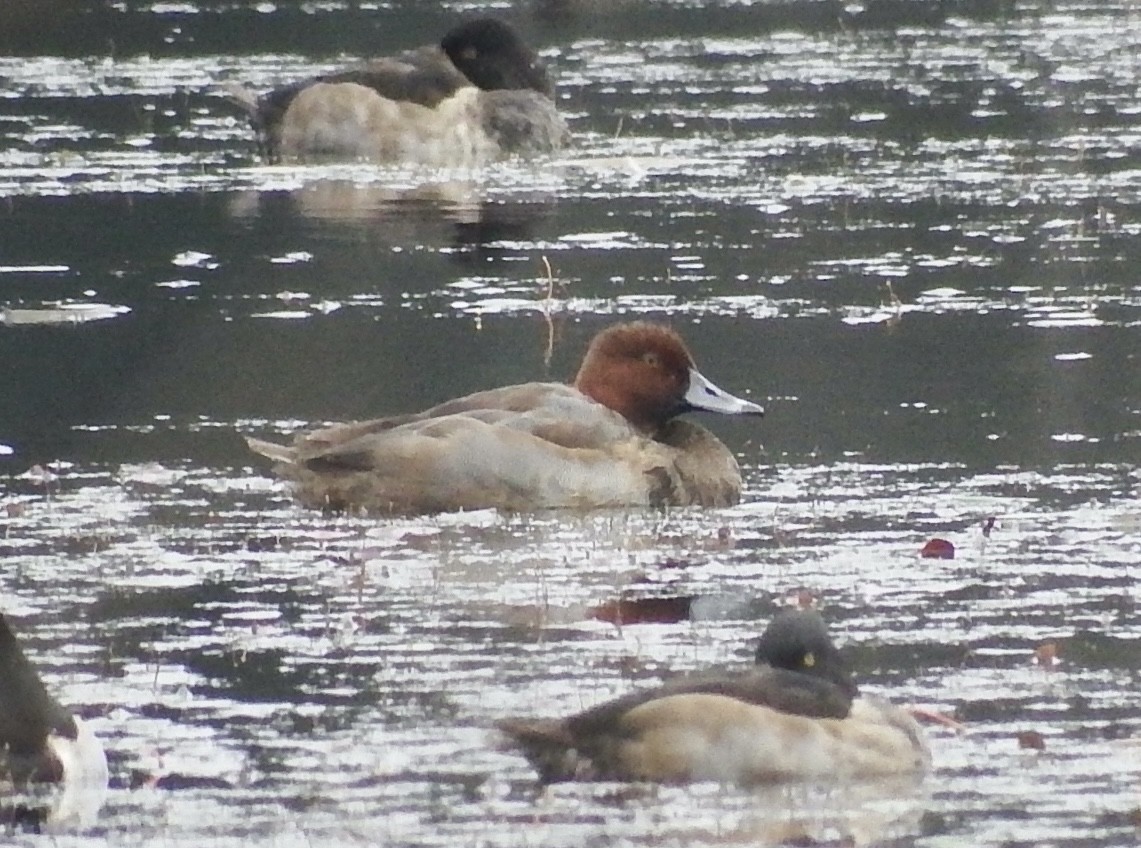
45, 752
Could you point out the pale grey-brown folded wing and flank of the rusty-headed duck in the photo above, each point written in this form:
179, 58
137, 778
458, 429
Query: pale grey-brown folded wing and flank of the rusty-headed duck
520, 448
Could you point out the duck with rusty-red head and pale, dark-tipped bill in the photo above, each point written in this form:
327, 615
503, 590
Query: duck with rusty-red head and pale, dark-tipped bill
611, 440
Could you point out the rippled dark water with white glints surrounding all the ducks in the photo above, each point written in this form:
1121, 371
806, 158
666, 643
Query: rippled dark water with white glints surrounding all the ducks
912, 230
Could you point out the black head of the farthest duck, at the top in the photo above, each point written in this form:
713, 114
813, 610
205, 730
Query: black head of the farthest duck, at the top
492, 55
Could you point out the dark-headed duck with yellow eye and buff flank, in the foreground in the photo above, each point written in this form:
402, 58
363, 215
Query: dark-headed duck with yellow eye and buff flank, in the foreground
797, 716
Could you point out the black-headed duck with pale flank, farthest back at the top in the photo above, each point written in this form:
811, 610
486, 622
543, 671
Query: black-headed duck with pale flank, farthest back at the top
480, 95
